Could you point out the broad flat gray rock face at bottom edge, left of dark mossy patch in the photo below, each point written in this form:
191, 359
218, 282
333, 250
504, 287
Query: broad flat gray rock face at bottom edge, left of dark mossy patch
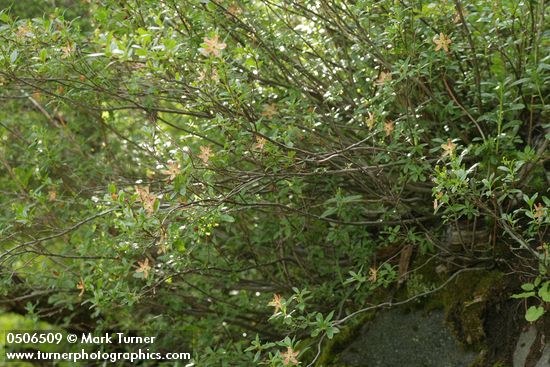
414, 339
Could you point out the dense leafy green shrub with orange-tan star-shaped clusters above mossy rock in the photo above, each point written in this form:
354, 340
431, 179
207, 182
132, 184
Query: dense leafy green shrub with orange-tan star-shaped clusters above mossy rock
177, 163
